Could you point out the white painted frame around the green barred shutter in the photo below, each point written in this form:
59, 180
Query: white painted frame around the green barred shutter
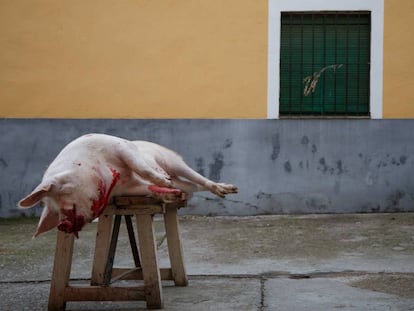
276, 7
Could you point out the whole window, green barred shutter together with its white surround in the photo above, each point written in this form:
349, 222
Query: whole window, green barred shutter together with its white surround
325, 90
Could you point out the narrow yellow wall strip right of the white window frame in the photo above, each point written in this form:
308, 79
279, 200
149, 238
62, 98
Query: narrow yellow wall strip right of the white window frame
399, 59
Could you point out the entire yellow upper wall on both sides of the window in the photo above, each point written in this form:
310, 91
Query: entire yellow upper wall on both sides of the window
160, 59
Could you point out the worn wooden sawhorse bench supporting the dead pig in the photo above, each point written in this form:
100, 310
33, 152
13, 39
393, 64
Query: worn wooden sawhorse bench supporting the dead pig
145, 258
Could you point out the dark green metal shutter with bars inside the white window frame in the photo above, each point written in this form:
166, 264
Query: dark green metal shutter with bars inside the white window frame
325, 63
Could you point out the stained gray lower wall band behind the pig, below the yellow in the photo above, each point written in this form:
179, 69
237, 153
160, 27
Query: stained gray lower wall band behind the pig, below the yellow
280, 166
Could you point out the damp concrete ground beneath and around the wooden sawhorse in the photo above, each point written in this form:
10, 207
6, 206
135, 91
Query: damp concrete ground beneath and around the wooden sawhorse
286, 263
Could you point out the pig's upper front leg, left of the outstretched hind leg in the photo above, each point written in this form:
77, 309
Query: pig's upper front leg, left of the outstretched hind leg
130, 155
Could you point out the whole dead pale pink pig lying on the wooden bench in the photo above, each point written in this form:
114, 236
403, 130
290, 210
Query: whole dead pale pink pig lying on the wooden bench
92, 169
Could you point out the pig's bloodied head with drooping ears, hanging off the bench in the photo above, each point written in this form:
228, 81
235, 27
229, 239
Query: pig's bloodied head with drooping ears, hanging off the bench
68, 202
